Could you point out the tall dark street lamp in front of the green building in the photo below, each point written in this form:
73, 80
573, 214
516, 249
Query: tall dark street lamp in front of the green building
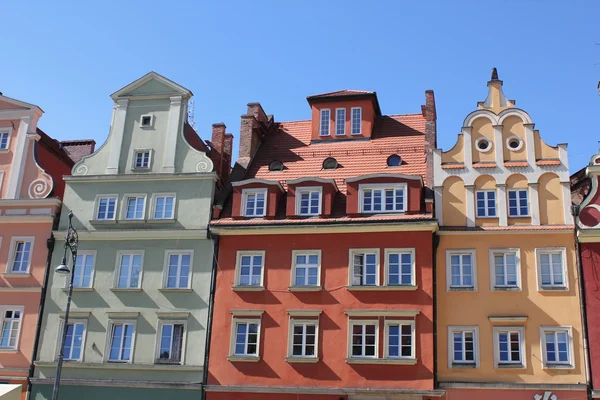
71, 243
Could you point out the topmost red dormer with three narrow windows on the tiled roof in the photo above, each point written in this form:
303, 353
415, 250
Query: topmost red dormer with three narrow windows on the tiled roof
345, 114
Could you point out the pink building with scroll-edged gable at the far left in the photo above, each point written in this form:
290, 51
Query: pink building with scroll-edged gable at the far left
31, 169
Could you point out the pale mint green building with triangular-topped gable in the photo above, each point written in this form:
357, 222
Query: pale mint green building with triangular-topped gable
141, 207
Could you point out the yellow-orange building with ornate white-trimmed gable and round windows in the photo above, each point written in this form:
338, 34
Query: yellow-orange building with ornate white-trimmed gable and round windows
508, 307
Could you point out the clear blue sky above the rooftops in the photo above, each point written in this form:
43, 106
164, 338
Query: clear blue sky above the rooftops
69, 56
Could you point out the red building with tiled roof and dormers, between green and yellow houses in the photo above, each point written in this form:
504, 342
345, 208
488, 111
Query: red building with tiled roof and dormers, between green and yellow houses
324, 279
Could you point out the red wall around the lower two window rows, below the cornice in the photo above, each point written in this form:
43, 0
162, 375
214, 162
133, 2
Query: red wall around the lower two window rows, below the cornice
275, 300
